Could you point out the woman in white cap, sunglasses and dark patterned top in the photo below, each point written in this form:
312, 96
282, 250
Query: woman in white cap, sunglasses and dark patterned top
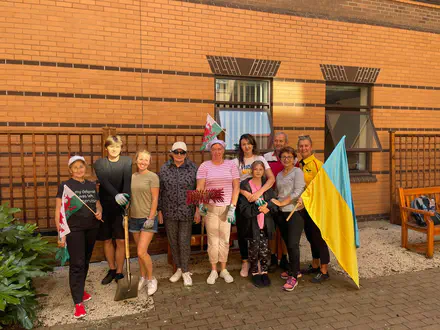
177, 176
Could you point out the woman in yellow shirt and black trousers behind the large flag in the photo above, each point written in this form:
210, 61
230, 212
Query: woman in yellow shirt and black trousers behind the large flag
320, 253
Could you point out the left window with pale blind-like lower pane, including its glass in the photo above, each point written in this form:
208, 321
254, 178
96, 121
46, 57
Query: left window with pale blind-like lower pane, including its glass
243, 106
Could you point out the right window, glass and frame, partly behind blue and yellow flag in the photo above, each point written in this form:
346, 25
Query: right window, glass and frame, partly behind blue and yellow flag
348, 113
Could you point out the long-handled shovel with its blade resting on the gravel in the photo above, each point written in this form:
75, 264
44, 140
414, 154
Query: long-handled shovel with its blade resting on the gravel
128, 286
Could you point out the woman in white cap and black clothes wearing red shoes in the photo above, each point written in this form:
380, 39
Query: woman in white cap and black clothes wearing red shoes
83, 225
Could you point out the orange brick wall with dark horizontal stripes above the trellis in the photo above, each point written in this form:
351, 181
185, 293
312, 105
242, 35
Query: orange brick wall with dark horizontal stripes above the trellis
76, 65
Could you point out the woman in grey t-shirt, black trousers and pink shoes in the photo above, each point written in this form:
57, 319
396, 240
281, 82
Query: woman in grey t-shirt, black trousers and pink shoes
290, 185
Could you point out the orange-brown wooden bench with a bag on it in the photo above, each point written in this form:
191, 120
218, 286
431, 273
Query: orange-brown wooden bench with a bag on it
408, 221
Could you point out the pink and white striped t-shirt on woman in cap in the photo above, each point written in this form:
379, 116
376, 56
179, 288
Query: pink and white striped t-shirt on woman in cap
219, 176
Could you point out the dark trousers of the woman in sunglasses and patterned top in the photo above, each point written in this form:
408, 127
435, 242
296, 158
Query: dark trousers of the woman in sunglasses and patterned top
179, 237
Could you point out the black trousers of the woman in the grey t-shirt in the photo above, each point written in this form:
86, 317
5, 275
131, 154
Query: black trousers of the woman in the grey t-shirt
291, 233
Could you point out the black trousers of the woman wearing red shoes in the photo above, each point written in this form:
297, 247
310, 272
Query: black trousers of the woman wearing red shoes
80, 246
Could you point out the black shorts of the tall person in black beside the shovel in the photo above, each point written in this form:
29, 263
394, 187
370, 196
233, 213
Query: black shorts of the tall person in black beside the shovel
112, 214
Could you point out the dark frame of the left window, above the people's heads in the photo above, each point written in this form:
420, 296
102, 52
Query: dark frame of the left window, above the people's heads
265, 106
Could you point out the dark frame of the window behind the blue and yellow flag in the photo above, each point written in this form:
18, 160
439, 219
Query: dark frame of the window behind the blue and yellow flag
332, 108
